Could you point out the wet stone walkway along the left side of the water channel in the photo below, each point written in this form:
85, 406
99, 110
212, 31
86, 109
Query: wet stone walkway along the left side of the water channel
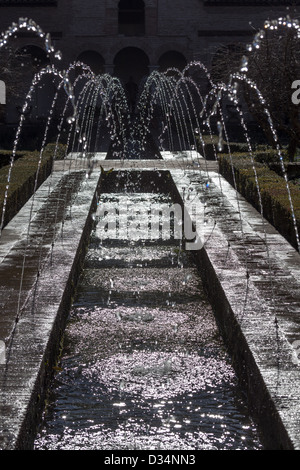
46, 257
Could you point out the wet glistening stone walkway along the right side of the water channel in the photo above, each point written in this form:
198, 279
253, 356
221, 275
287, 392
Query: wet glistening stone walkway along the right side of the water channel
252, 274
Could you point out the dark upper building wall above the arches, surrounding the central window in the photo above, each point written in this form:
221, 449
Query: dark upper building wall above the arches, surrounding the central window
187, 27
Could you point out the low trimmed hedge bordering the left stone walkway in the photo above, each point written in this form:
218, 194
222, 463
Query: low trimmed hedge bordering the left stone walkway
23, 177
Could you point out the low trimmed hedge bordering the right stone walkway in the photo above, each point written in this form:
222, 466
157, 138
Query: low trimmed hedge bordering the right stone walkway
273, 190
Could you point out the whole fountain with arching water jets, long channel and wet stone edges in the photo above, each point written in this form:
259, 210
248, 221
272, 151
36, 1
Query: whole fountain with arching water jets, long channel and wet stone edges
242, 259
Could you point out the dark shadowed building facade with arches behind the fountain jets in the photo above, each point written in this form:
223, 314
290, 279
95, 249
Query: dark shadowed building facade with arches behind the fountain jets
131, 38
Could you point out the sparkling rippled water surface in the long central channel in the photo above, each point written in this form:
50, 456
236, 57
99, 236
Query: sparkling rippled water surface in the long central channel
143, 365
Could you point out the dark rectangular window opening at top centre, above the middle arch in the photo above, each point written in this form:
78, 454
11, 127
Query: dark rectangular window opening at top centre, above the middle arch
131, 17
